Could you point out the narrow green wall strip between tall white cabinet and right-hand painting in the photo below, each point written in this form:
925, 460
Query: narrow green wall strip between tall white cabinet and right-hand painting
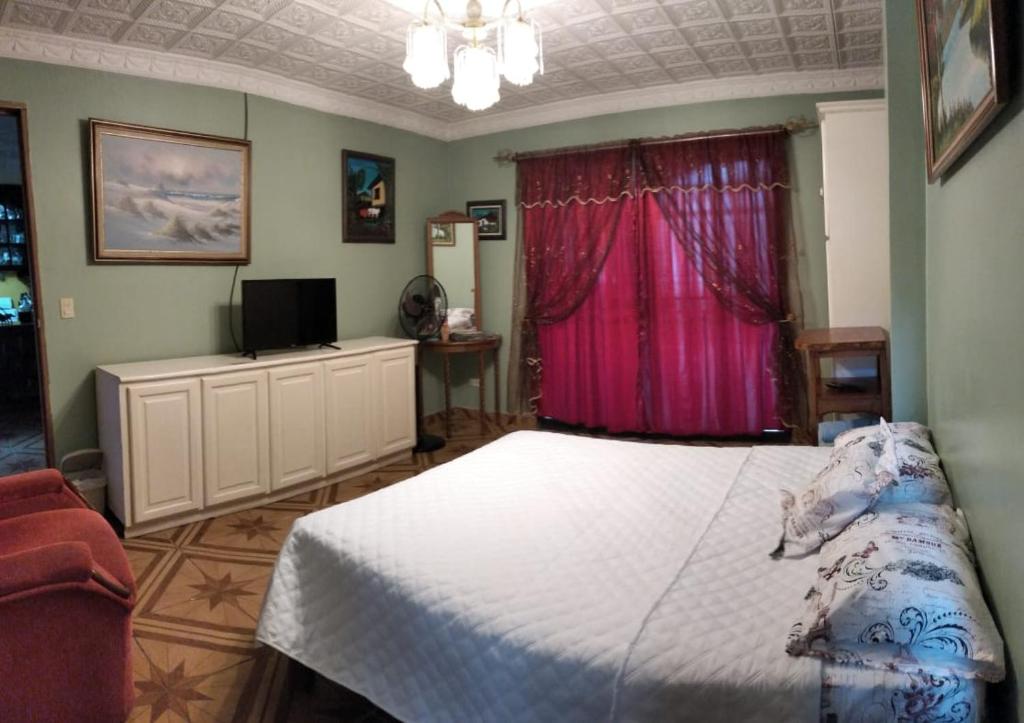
907, 214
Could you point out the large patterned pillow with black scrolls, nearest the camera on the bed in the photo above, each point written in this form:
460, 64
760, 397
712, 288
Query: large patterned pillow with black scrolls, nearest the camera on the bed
898, 590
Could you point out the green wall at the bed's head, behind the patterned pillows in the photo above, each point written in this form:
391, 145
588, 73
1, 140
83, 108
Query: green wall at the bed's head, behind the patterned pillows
975, 258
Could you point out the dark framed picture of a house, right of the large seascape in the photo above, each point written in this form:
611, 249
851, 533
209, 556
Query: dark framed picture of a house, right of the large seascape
369, 204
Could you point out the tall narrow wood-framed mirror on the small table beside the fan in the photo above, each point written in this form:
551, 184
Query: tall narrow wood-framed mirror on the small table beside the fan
452, 260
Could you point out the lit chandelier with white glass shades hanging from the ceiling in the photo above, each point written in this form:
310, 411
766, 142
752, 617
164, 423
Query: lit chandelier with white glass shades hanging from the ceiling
519, 52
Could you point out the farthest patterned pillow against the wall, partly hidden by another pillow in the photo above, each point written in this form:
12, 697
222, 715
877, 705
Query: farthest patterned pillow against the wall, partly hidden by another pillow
915, 469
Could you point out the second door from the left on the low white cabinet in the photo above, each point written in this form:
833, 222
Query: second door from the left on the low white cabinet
236, 437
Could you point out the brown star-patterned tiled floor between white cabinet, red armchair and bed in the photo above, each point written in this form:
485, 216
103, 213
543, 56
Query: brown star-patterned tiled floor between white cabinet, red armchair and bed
201, 587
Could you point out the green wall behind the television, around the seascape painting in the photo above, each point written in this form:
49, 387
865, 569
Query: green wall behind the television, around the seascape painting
127, 313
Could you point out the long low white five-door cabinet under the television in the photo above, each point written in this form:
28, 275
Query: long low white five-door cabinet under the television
197, 438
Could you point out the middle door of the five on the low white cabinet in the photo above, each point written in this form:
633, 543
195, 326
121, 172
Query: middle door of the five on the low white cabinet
296, 424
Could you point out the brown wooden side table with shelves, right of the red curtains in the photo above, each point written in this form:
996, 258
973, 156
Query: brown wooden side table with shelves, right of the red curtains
846, 396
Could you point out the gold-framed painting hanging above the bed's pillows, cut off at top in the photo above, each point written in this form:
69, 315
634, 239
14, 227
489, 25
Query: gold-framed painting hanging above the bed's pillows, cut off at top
964, 74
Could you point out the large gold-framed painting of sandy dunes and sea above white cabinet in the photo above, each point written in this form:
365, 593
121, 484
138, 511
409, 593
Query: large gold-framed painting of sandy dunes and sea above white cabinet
168, 197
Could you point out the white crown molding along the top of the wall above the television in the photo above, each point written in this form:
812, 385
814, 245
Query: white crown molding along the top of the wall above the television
64, 51
